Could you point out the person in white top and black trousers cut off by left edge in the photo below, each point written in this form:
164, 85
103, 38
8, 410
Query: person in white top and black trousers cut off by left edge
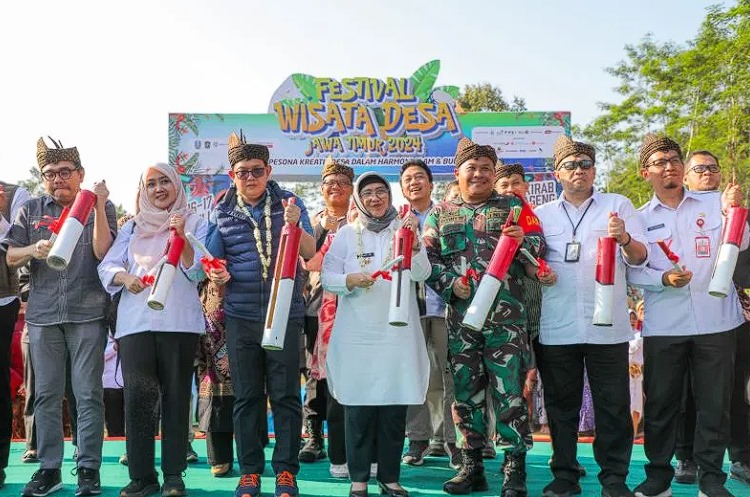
11, 199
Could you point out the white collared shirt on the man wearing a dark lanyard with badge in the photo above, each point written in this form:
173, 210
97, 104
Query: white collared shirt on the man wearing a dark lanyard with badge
568, 306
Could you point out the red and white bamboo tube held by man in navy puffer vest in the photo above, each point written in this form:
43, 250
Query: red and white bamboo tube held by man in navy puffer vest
277, 315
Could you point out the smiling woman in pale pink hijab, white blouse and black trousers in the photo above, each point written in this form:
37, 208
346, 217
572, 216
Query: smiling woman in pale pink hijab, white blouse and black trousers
156, 347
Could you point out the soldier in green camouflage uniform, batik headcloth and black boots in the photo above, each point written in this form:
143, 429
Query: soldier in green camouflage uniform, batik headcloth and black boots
499, 354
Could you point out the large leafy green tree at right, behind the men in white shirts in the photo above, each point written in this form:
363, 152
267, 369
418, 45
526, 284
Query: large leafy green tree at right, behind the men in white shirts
699, 94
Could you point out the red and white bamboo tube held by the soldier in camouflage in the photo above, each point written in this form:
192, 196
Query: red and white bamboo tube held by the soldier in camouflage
492, 279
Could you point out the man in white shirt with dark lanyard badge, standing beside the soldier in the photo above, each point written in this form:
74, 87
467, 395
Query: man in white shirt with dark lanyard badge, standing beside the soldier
569, 341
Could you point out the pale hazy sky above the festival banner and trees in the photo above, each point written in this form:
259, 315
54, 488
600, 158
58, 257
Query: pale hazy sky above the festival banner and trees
104, 76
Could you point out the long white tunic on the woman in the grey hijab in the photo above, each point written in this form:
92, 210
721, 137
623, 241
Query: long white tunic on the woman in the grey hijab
369, 361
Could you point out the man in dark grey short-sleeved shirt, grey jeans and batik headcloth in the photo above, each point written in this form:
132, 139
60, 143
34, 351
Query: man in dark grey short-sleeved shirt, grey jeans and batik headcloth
65, 319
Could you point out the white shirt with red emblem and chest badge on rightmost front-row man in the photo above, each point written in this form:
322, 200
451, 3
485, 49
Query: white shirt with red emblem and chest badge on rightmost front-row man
689, 310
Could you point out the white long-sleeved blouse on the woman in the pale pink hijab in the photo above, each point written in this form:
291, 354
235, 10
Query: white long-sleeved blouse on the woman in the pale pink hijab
182, 311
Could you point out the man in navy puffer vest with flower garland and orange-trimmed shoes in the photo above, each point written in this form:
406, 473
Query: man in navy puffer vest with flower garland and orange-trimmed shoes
245, 229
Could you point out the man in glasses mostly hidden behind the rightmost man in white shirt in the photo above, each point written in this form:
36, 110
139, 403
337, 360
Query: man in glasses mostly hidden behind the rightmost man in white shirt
703, 174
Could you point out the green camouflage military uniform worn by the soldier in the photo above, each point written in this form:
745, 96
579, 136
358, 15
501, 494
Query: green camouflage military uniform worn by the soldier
501, 352
